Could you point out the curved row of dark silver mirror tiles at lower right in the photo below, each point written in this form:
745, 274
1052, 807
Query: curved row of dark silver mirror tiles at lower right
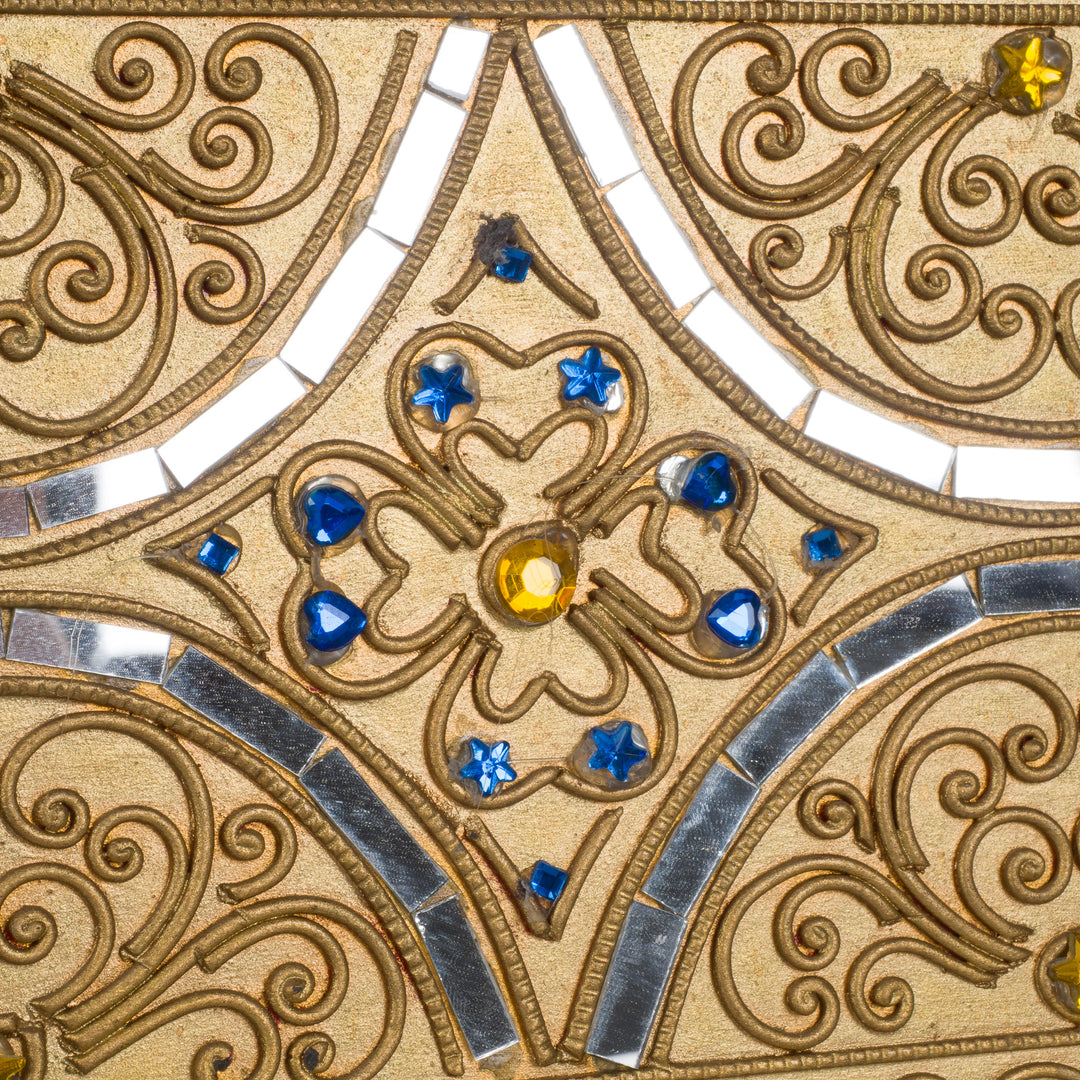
654, 930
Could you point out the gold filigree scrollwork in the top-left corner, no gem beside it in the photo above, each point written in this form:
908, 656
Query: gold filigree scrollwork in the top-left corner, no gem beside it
42, 115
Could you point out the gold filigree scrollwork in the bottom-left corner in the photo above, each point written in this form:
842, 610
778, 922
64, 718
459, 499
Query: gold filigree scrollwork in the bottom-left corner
132, 1004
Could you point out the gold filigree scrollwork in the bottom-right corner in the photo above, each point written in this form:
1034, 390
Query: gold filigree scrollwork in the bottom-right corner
977, 947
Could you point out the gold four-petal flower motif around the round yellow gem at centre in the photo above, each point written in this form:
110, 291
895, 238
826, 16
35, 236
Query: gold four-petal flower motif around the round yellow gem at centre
529, 573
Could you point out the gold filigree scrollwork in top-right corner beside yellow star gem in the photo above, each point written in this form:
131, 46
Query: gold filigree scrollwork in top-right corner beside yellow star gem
908, 123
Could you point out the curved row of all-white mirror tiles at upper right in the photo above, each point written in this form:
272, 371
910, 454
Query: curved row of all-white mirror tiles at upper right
979, 472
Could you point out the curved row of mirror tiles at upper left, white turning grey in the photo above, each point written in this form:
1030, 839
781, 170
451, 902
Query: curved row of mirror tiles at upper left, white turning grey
336, 312
